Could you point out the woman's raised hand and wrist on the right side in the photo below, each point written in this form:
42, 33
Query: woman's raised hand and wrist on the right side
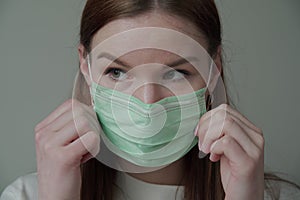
239, 146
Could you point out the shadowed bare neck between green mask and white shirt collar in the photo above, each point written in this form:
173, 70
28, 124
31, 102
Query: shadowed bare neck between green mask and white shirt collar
169, 175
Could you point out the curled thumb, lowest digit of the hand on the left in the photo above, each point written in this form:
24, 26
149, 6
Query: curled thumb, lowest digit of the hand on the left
87, 143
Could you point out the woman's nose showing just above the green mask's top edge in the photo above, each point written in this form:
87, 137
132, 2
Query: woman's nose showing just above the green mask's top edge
151, 93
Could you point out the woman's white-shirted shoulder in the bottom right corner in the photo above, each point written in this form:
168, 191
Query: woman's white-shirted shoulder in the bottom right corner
281, 190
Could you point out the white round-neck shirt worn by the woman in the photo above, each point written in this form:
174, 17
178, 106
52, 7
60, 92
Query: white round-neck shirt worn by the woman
25, 188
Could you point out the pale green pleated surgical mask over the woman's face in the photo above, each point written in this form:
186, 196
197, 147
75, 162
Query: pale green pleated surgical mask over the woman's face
148, 135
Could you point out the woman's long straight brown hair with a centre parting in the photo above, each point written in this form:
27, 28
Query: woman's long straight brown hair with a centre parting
204, 176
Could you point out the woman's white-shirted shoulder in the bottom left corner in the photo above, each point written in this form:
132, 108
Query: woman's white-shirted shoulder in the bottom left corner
23, 188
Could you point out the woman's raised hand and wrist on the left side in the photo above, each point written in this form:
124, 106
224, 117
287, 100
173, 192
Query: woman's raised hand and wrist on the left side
66, 138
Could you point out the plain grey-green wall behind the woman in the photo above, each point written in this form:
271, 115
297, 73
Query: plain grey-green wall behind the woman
38, 54
